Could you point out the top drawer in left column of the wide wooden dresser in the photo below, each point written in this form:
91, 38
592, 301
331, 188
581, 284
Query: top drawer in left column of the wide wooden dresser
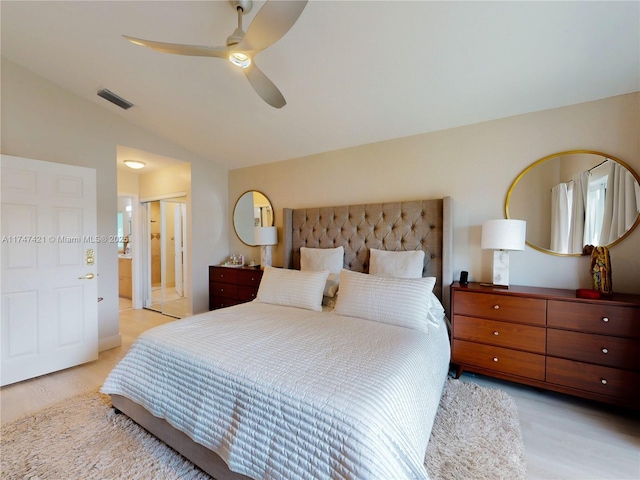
501, 307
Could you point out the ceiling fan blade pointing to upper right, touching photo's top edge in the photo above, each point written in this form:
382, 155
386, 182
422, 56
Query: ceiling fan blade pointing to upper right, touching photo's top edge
270, 24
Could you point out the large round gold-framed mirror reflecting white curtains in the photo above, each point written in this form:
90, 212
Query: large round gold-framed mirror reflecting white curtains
575, 198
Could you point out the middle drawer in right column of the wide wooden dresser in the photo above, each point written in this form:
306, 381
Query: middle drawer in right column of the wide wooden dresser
591, 348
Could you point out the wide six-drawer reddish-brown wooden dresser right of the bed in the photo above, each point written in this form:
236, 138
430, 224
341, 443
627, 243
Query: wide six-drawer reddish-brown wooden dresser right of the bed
548, 338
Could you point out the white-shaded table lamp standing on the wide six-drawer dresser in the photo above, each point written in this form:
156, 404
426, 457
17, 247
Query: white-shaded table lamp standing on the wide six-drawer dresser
502, 236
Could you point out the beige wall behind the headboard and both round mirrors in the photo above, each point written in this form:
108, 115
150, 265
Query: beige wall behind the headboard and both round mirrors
475, 165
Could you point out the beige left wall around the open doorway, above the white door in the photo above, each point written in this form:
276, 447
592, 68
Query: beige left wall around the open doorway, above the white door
43, 121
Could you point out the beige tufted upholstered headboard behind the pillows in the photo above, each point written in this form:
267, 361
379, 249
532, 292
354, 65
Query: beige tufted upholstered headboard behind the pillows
416, 225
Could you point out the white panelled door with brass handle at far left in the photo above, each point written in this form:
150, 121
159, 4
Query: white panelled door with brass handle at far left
49, 284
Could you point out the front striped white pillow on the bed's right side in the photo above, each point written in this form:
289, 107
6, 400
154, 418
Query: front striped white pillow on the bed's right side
398, 301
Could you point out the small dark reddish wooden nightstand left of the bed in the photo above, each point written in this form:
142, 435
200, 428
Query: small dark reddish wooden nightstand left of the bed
232, 285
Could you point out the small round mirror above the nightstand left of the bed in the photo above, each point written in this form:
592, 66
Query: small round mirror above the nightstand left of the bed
253, 209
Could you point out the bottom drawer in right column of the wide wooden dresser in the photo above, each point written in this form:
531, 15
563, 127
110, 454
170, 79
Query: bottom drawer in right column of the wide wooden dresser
609, 381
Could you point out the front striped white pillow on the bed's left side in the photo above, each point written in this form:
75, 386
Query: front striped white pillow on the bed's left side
292, 288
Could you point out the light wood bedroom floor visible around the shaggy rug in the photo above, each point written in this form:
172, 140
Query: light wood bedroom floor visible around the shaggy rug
565, 437
